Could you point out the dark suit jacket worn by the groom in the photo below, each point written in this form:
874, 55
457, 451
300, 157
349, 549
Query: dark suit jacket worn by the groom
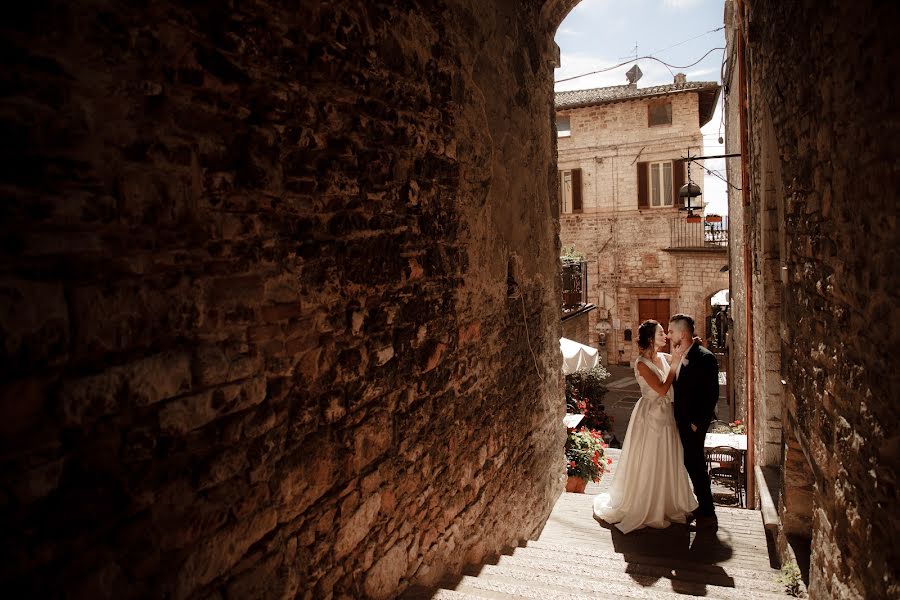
697, 387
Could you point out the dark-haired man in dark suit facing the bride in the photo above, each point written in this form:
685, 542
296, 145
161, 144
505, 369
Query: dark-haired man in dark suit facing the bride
696, 394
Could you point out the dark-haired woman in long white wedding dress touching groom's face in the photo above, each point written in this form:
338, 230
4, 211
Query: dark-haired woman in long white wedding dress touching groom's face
651, 487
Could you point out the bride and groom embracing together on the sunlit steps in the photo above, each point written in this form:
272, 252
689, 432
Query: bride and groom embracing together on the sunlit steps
663, 452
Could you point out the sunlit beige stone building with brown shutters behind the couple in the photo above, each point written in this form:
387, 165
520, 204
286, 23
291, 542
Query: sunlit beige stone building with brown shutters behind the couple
621, 161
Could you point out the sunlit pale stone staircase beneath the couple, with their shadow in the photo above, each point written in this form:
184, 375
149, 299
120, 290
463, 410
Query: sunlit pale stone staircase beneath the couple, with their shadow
576, 558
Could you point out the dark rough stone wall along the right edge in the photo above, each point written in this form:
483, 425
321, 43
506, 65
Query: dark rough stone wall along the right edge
834, 144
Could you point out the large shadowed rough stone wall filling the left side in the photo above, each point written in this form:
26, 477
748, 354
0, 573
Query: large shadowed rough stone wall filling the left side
266, 269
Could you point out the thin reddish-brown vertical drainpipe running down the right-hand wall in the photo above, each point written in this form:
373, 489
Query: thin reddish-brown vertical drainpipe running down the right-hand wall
748, 259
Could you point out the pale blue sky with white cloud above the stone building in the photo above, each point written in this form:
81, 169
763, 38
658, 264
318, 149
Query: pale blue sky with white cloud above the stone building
602, 33
